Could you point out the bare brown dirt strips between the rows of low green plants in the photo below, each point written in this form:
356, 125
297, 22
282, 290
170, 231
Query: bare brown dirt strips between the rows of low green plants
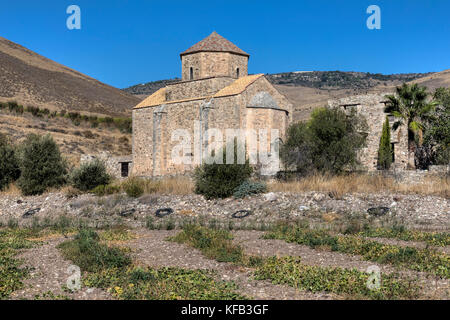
49, 271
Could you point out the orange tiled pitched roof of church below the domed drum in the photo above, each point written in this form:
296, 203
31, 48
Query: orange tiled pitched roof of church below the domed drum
237, 87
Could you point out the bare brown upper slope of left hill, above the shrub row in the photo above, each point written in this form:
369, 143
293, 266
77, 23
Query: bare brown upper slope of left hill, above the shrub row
32, 79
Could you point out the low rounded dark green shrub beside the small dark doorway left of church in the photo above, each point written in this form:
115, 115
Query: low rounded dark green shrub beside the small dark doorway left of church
90, 175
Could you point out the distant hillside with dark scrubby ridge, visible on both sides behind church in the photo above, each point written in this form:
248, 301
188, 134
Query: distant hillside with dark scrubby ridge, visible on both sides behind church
310, 89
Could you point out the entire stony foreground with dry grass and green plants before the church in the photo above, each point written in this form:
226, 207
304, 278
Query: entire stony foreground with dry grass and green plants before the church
409, 244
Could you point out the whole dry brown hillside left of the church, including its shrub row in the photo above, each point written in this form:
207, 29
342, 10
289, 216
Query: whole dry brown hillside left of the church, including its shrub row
37, 82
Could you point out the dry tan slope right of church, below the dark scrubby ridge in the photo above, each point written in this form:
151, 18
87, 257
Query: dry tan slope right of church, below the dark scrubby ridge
306, 99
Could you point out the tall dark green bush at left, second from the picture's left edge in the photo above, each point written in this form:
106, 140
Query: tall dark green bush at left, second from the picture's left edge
41, 165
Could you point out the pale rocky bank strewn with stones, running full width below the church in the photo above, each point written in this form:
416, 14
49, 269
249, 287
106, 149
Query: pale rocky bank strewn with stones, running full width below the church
416, 211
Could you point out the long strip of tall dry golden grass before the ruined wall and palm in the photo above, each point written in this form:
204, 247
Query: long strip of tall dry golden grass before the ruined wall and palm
360, 183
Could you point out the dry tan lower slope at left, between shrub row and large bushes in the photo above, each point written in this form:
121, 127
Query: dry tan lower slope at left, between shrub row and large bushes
72, 140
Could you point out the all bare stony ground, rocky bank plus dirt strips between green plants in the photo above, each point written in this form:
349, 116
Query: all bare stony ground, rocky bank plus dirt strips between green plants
49, 270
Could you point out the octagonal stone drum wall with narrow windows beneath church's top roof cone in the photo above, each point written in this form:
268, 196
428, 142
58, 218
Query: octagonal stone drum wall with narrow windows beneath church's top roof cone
213, 64
